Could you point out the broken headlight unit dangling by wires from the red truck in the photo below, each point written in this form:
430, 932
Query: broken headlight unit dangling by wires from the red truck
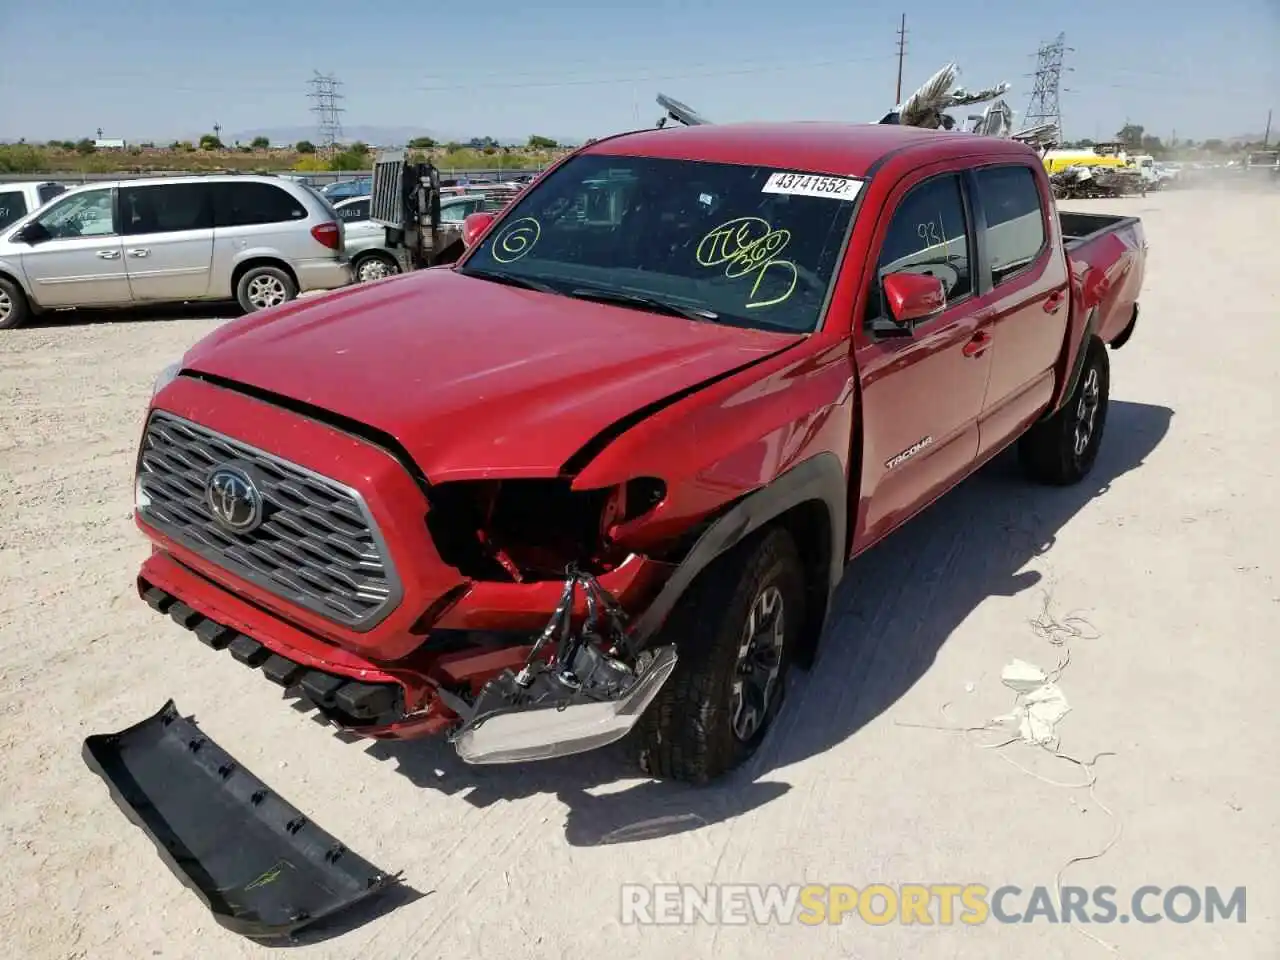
588, 693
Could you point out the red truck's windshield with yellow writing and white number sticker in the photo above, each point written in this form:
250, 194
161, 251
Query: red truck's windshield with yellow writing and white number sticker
751, 246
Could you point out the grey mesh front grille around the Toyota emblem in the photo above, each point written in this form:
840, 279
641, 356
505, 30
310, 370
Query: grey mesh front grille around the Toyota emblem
318, 546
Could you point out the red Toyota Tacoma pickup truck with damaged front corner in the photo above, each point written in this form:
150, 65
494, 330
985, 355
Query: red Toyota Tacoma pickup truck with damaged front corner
597, 479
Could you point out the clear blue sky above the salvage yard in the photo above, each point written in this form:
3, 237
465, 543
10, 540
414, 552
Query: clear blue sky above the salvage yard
159, 70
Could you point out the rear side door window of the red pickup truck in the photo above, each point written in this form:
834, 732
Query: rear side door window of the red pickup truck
1016, 221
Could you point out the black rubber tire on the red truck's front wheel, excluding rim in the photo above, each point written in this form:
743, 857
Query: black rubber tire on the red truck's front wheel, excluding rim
688, 733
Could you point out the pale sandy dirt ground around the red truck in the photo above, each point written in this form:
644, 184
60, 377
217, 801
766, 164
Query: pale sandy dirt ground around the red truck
1171, 552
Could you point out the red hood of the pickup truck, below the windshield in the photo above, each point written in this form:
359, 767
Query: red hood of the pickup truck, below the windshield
473, 378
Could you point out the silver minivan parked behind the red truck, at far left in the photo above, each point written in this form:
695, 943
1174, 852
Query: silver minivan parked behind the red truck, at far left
258, 240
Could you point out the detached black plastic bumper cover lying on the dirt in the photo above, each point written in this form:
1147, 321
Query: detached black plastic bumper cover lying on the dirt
260, 866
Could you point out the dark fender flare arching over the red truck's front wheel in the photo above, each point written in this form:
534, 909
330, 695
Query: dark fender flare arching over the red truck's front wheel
821, 478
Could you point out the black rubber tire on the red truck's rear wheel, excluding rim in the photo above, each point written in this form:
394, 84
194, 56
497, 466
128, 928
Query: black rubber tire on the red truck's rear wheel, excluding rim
1049, 451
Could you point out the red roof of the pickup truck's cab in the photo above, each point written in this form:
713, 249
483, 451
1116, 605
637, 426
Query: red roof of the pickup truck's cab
813, 147
